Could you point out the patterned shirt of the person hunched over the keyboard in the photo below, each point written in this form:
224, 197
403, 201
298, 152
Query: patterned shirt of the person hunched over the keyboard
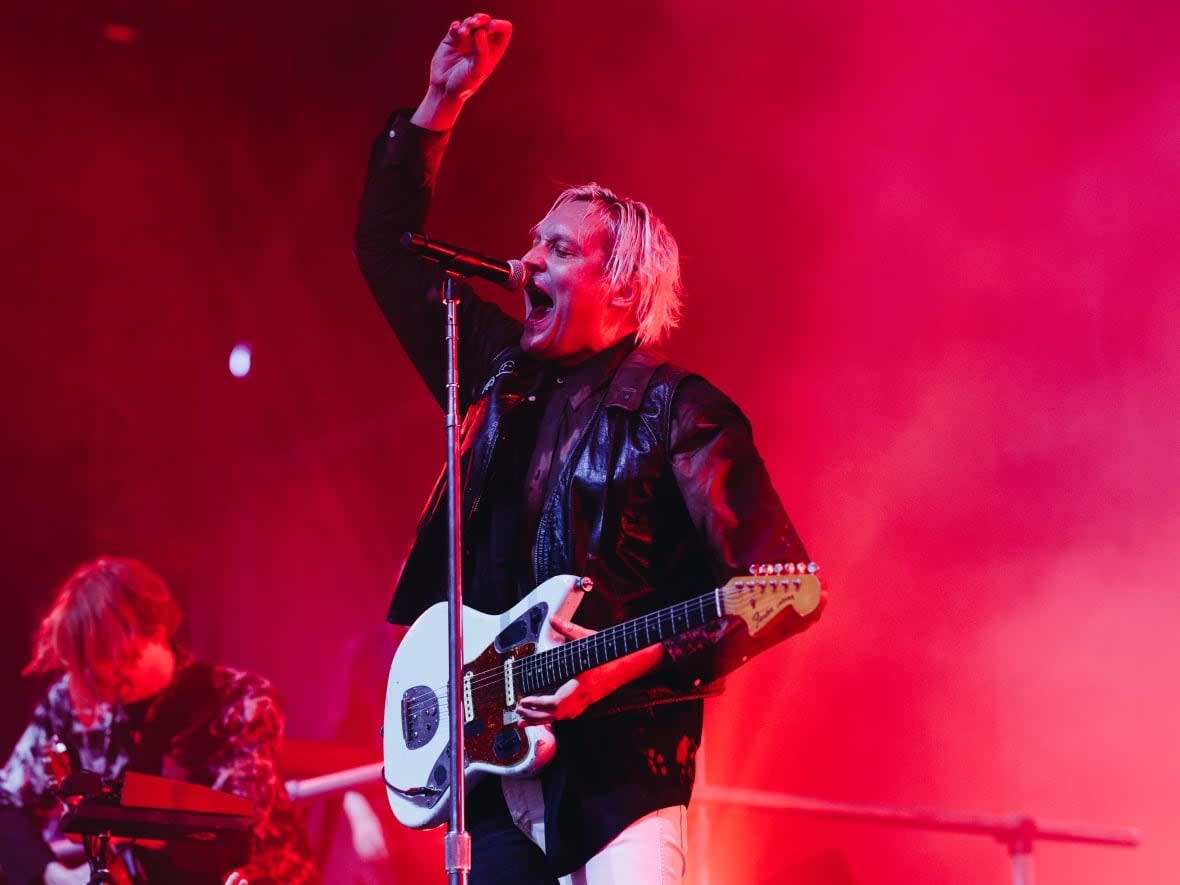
213, 726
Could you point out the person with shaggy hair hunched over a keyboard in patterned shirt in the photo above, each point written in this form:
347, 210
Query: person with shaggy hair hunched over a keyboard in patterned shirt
129, 699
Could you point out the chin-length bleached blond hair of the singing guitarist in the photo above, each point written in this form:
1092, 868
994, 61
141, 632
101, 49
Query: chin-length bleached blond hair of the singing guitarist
644, 254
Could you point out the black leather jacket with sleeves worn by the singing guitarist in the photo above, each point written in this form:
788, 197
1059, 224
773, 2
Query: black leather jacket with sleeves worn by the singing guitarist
626, 469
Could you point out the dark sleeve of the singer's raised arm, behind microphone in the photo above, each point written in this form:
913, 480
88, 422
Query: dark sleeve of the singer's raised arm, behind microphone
399, 188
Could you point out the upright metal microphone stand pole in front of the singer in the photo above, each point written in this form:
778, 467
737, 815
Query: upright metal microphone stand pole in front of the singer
457, 845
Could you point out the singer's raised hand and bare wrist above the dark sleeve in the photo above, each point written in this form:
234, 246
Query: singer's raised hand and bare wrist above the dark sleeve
467, 57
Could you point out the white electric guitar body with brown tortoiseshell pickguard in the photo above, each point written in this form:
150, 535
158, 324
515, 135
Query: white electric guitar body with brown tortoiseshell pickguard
496, 742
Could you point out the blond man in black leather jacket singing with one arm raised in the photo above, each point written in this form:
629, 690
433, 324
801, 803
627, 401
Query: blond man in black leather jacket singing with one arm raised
585, 454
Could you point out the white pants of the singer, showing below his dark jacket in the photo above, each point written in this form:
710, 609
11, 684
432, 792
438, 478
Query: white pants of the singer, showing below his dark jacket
652, 851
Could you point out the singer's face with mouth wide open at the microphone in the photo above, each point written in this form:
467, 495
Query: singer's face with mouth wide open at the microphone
569, 313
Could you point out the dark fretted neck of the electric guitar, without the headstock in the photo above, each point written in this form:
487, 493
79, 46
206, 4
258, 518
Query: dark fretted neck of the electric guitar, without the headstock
549, 670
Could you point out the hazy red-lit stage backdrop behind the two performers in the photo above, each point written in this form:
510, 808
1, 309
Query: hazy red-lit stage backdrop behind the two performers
930, 251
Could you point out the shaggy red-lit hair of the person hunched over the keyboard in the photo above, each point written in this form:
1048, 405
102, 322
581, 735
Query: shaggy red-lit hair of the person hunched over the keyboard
97, 615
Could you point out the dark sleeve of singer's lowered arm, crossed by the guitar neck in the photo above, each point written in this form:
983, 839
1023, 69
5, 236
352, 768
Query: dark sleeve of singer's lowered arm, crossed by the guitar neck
738, 514
